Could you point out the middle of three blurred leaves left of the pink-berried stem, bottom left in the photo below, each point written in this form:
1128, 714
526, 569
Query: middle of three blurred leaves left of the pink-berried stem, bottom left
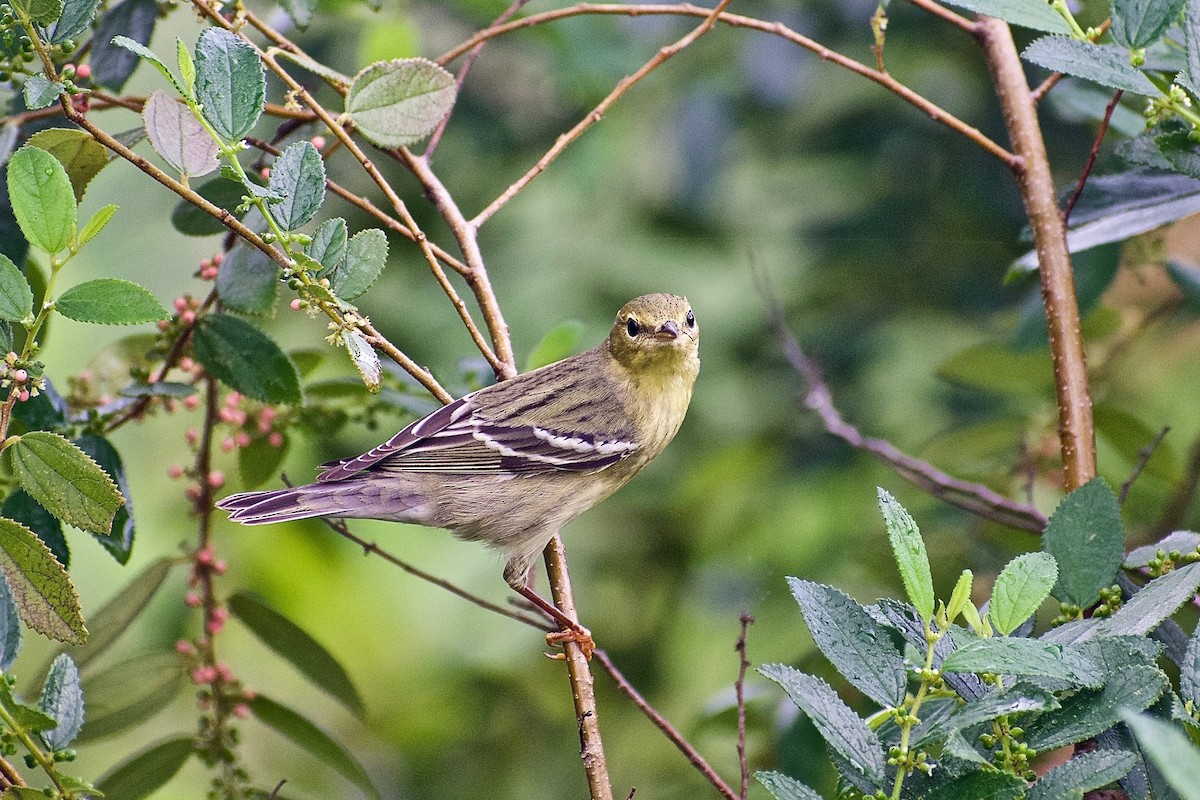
129, 694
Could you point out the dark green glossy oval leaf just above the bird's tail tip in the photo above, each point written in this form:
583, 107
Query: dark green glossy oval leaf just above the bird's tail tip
243, 358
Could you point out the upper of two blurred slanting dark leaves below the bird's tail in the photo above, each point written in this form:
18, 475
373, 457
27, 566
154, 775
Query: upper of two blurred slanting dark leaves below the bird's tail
298, 648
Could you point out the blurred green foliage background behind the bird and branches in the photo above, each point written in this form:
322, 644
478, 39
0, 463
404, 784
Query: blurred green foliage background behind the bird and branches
886, 238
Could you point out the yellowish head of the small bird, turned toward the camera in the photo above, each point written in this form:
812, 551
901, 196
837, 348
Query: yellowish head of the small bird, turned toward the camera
656, 333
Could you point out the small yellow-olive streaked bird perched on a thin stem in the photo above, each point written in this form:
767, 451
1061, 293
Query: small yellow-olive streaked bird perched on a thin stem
512, 464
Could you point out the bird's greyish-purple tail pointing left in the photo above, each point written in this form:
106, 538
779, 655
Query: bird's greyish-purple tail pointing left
343, 500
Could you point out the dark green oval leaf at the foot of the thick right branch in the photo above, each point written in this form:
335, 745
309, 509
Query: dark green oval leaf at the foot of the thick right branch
1087, 539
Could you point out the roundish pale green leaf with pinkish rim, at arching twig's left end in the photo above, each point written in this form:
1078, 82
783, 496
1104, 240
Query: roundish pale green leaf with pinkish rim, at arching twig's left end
395, 104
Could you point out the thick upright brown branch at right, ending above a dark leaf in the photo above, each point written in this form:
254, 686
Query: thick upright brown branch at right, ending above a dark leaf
1036, 184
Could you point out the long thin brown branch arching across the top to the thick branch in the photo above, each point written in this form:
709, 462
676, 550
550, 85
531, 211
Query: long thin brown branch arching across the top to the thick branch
737, 21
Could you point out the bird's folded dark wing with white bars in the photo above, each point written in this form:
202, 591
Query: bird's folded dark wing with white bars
458, 438
